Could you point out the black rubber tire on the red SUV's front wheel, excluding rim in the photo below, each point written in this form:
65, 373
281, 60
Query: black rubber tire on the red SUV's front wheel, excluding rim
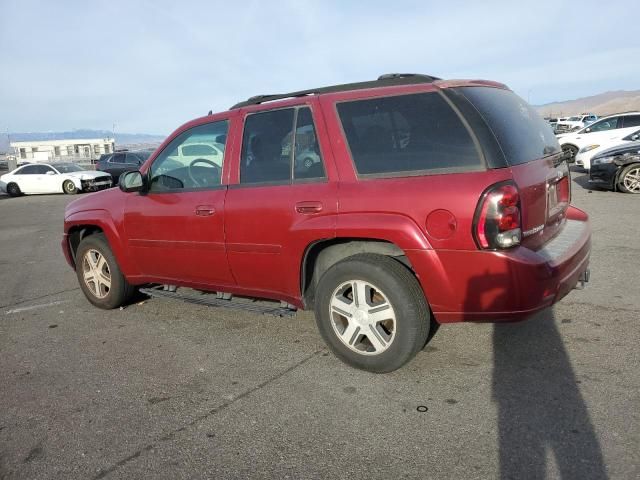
119, 291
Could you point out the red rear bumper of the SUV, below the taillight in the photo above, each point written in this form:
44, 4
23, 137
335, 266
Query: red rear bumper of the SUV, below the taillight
509, 285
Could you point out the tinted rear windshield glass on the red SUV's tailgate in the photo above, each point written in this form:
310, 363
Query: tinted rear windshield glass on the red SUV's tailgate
521, 132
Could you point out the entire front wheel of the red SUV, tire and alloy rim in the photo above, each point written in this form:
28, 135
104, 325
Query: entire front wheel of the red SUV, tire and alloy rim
99, 276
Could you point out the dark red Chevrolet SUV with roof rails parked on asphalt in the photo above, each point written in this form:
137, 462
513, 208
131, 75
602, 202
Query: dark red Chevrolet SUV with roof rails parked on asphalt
388, 207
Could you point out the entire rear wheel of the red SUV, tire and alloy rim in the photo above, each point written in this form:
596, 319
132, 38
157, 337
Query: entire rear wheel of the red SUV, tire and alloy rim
372, 313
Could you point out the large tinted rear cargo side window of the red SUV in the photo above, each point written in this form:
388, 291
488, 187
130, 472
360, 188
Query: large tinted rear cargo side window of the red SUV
407, 133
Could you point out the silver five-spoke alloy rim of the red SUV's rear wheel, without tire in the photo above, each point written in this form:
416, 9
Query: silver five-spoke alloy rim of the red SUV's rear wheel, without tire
362, 317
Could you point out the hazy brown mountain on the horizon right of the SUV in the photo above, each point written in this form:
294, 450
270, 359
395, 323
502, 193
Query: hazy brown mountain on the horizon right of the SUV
602, 104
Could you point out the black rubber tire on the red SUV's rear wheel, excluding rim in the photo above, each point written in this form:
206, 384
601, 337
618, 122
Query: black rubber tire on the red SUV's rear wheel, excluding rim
402, 291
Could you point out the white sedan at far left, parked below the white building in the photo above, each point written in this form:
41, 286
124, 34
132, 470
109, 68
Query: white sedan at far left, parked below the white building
53, 178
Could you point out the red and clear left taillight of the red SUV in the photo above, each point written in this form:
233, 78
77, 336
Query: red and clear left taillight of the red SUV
498, 223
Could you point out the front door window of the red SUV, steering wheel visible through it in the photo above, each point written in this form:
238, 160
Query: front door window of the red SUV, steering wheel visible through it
192, 161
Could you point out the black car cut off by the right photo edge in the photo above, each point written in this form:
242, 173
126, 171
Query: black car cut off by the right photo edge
617, 168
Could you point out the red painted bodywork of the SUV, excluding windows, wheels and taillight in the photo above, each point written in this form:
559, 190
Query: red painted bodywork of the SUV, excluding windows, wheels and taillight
254, 241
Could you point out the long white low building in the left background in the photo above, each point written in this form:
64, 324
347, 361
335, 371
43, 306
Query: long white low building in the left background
73, 149
